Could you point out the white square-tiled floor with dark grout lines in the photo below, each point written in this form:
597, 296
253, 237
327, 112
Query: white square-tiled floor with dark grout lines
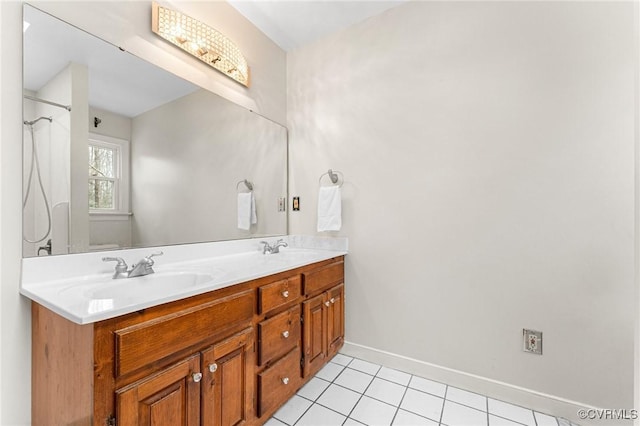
352, 392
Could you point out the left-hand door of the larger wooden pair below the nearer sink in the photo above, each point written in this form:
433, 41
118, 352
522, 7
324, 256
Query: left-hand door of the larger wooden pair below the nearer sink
170, 397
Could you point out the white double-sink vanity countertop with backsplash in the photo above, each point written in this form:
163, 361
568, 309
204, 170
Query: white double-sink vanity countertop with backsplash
81, 289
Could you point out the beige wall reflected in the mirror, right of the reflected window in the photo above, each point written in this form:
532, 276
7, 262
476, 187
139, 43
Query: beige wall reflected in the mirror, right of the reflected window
207, 145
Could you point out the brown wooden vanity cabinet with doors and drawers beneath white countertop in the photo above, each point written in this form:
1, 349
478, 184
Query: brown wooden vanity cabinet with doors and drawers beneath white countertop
232, 355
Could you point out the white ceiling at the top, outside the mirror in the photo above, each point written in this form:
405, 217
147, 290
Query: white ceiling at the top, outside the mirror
294, 23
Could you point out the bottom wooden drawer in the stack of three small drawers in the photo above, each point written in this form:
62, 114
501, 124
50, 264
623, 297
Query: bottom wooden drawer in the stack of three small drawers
278, 382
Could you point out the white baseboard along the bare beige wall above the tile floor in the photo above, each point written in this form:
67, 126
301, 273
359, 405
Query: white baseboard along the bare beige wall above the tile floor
538, 401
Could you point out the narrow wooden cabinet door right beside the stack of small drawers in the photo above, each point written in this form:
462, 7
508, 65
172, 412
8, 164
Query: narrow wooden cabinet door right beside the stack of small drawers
314, 334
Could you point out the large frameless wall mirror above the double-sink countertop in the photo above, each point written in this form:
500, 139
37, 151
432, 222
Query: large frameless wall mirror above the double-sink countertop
142, 158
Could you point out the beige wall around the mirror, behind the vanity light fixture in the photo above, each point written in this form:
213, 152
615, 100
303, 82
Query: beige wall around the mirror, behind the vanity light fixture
125, 24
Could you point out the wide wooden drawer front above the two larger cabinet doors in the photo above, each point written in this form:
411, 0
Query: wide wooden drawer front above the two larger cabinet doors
141, 344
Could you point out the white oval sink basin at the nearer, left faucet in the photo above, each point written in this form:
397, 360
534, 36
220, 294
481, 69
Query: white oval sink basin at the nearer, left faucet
158, 284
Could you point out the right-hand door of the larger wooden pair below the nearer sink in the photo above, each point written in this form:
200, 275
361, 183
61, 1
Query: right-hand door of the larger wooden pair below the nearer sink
228, 385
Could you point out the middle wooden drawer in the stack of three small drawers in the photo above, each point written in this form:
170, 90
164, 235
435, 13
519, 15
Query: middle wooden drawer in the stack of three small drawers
278, 335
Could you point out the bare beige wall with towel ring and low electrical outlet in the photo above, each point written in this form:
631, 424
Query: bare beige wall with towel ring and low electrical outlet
488, 154
